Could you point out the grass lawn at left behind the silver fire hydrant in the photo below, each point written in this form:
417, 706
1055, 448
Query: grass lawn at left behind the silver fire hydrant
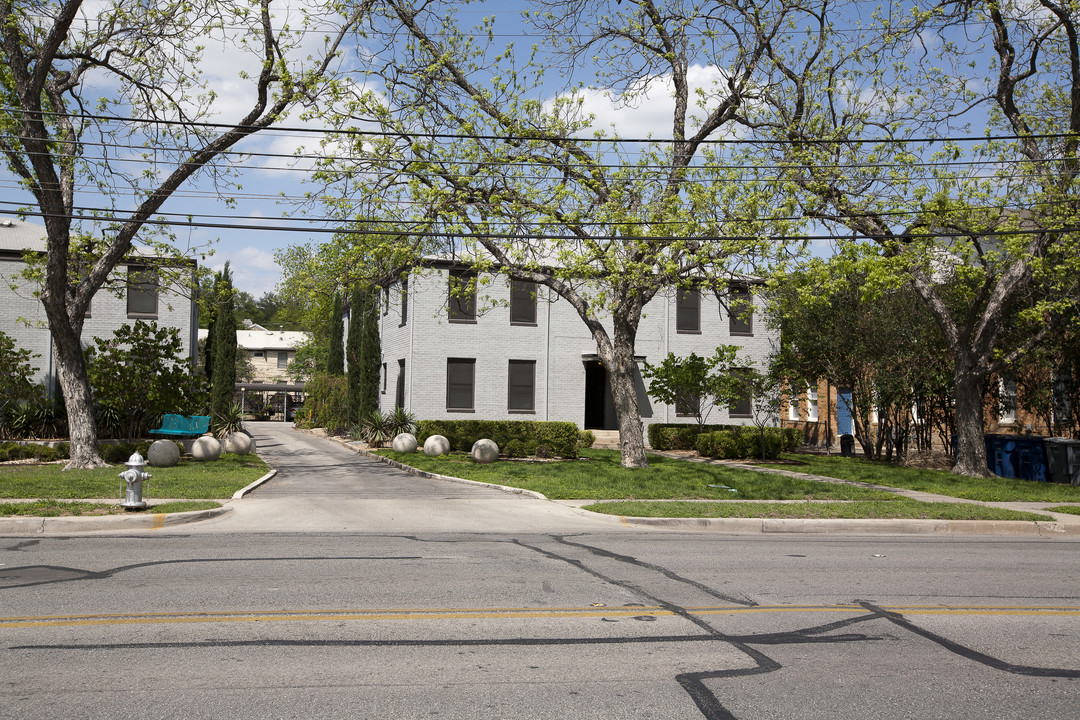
190, 481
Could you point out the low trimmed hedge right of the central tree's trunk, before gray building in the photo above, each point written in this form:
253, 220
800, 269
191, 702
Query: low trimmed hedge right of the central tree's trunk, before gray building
724, 441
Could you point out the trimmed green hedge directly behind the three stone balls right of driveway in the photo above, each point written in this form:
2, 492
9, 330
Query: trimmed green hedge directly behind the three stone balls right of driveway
517, 439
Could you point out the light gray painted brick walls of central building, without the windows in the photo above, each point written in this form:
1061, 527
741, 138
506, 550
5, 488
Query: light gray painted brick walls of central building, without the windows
559, 344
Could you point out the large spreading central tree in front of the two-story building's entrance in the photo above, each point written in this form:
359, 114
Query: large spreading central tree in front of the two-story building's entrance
502, 174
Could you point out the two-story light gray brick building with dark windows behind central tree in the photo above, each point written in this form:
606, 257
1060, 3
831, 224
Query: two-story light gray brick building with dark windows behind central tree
528, 356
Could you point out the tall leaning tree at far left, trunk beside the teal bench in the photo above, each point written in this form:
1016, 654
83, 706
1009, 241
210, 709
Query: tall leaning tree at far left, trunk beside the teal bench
139, 66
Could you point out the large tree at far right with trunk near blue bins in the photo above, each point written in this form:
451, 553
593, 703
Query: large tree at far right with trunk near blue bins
868, 134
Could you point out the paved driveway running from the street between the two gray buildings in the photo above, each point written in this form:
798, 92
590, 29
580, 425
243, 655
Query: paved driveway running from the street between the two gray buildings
323, 486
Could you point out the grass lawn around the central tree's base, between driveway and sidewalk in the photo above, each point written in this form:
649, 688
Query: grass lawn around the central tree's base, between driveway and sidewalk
599, 476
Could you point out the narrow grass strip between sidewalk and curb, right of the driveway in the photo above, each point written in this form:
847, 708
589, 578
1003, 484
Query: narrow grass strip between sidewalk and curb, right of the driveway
898, 510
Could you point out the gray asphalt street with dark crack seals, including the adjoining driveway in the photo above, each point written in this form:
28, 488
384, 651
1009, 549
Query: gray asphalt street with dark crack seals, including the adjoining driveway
265, 615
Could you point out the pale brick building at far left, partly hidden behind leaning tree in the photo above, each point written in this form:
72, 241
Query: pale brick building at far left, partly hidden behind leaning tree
144, 294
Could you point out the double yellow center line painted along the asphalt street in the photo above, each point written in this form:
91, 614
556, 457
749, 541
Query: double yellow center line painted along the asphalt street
505, 614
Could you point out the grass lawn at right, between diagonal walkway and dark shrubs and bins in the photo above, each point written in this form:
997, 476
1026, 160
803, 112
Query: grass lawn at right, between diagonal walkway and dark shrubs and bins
990, 490
